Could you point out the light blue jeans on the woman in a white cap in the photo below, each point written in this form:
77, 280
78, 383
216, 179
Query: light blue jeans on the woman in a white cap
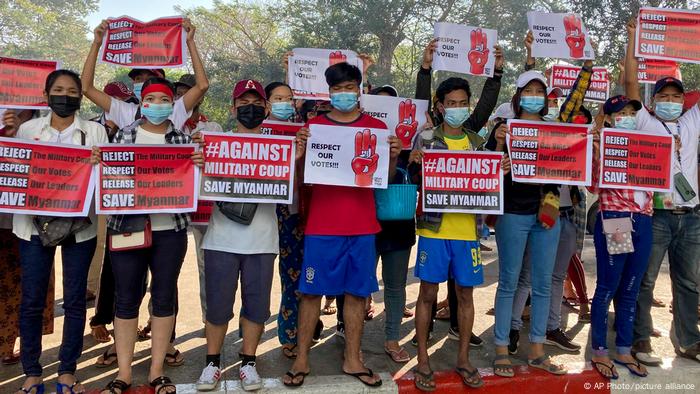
513, 234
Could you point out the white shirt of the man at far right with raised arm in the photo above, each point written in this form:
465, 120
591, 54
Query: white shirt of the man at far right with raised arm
688, 127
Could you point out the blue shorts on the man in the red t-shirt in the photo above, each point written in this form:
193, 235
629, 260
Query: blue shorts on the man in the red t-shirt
335, 265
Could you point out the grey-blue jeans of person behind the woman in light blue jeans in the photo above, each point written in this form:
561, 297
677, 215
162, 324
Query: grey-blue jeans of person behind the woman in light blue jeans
565, 249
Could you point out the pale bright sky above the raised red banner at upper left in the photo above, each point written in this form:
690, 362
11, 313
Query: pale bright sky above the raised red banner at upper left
144, 10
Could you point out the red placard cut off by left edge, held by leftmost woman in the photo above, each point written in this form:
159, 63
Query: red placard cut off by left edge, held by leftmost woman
38, 178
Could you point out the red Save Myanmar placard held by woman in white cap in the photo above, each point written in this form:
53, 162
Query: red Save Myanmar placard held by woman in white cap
546, 152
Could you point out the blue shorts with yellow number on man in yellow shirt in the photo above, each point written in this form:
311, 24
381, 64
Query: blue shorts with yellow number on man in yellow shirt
440, 259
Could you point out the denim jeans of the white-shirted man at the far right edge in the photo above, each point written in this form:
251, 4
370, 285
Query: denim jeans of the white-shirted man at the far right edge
680, 236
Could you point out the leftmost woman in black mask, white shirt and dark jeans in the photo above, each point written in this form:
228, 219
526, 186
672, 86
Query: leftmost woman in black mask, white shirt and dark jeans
62, 126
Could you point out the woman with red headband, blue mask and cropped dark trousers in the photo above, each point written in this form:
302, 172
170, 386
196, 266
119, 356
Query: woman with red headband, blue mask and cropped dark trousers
163, 258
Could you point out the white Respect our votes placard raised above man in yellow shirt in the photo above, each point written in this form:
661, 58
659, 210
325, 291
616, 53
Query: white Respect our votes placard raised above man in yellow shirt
464, 49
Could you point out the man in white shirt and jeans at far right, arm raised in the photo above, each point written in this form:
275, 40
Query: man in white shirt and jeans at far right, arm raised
676, 224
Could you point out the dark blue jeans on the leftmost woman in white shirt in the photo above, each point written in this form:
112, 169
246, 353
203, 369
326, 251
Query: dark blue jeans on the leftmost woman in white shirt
37, 261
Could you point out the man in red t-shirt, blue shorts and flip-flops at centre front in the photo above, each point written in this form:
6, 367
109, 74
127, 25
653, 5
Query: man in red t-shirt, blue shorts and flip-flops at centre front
339, 250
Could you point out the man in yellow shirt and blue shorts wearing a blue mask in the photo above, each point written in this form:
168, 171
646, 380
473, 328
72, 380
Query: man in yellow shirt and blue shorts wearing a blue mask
448, 245
